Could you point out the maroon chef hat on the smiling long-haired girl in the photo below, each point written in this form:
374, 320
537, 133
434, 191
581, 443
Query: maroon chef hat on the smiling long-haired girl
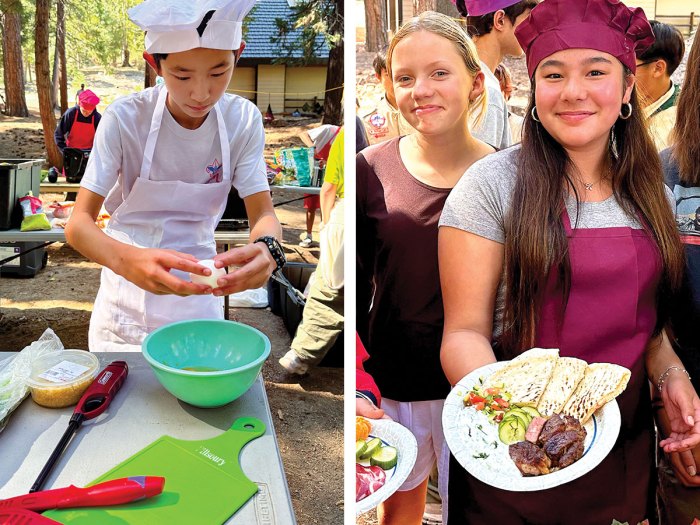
605, 25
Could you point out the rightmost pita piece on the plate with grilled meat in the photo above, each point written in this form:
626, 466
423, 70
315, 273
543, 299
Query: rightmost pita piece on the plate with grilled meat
602, 382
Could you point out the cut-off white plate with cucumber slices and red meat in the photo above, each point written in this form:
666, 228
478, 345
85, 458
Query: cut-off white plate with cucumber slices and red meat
399, 437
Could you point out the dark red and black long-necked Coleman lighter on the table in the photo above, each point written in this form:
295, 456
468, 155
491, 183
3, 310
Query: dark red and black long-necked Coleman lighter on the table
95, 400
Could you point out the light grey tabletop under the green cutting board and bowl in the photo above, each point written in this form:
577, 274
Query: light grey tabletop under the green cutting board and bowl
142, 411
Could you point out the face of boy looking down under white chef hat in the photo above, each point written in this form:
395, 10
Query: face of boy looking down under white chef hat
196, 80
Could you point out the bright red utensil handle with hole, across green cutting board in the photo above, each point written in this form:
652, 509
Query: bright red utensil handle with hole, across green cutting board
114, 492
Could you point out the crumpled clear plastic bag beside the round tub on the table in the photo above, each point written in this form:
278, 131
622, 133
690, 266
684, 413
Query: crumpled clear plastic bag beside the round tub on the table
15, 370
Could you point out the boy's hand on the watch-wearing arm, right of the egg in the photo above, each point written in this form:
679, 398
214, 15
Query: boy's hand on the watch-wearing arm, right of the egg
251, 265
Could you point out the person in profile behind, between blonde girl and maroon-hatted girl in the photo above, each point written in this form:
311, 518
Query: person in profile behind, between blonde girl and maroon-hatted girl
491, 24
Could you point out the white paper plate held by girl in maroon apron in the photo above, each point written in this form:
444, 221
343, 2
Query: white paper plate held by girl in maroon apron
470, 436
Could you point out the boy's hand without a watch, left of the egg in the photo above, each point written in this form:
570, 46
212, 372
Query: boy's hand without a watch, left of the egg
149, 268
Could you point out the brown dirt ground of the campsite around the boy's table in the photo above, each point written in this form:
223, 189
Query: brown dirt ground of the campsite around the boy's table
307, 411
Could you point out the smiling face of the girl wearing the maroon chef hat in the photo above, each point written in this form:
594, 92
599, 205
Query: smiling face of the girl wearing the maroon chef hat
579, 94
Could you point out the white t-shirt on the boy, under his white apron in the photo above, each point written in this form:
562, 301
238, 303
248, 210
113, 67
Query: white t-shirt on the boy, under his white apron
189, 155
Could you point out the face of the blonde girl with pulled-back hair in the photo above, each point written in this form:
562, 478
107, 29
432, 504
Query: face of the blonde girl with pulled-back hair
432, 84
